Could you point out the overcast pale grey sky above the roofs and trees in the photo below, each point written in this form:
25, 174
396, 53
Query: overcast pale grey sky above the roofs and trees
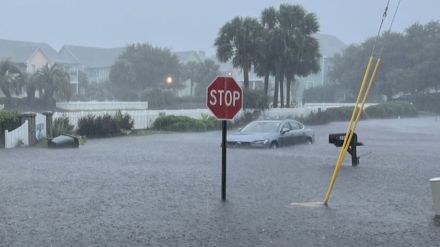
185, 24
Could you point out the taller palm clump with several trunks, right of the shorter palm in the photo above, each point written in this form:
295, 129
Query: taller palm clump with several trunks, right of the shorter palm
298, 49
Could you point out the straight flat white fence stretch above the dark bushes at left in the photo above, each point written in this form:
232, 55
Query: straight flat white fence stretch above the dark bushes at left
102, 105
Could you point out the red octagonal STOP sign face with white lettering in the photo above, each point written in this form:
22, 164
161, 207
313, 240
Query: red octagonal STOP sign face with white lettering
225, 97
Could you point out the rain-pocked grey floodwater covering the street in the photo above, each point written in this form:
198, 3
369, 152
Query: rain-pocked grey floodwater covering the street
164, 190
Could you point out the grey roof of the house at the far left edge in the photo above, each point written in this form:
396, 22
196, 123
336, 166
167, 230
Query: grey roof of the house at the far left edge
20, 51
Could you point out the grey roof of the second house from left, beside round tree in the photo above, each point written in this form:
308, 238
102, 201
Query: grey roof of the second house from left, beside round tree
90, 57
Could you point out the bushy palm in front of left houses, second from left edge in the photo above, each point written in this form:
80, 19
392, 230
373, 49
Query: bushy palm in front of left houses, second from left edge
52, 81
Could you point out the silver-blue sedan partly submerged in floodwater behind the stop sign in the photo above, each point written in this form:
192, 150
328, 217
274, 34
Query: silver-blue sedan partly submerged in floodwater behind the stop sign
271, 134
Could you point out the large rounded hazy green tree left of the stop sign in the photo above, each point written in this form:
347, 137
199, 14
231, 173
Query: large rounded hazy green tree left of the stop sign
143, 67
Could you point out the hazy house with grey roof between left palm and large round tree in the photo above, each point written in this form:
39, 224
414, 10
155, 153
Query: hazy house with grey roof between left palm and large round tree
94, 62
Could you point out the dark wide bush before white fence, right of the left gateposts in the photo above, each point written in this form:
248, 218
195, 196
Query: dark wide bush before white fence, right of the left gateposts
106, 125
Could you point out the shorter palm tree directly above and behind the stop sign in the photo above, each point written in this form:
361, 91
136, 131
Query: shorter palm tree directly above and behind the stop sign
239, 40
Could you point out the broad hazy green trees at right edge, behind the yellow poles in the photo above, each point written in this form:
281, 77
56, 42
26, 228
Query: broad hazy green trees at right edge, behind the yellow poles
409, 62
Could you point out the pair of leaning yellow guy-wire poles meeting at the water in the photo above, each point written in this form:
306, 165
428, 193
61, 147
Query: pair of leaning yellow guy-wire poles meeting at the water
351, 129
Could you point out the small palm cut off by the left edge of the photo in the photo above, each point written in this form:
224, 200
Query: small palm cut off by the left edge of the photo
11, 78
